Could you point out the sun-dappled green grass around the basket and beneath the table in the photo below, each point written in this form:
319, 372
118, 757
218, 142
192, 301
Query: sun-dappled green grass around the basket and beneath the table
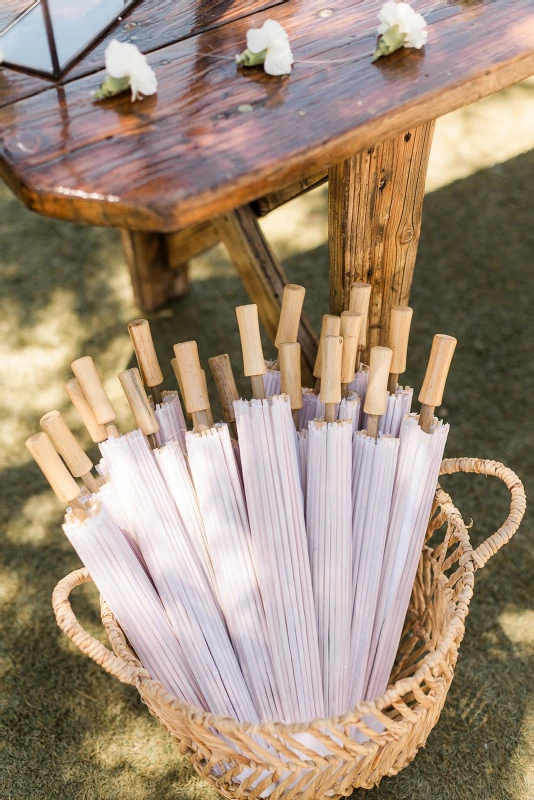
72, 732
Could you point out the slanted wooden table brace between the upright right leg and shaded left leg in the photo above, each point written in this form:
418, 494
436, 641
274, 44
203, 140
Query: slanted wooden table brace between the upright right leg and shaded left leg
262, 276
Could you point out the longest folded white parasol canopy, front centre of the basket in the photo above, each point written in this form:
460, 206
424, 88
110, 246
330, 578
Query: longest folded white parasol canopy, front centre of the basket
269, 456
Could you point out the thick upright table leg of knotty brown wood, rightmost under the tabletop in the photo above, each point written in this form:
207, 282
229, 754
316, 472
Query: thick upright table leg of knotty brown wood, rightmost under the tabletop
375, 202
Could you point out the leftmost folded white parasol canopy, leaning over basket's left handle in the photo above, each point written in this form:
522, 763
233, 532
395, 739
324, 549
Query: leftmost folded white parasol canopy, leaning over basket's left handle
121, 579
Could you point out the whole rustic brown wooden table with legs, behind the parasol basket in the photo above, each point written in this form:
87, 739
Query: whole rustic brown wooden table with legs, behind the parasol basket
217, 147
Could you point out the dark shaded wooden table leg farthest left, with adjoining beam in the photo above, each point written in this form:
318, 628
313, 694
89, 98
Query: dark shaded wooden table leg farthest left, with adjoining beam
158, 262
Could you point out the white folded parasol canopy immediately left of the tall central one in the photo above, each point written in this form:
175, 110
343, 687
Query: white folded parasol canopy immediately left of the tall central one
220, 493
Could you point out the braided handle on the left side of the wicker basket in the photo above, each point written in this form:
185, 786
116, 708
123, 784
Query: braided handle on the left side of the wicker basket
66, 619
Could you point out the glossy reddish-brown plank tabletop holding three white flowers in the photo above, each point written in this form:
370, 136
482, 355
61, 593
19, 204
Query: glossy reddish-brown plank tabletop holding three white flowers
215, 137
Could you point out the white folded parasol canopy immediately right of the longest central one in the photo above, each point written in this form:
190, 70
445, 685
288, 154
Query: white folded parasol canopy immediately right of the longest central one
329, 529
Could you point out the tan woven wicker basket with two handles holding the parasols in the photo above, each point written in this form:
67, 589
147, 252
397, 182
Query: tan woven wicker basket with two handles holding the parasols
251, 760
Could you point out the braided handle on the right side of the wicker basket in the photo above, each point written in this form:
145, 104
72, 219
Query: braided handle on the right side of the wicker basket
483, 552
